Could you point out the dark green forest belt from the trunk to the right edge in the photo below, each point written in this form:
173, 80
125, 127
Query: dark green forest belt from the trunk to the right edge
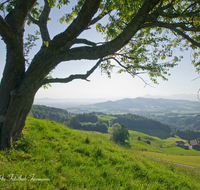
91, 122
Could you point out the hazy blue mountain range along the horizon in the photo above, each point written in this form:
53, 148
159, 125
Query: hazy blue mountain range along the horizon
141, 106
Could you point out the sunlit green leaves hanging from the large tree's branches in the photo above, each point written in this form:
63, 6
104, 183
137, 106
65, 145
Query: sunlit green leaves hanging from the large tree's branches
168, 26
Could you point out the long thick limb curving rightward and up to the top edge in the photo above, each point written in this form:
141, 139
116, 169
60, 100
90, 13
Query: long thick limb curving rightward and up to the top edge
113, 46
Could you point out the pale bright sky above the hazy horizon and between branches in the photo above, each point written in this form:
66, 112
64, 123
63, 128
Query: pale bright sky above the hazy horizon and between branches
100, 86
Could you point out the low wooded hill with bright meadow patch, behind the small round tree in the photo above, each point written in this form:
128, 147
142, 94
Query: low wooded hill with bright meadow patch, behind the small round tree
97, 121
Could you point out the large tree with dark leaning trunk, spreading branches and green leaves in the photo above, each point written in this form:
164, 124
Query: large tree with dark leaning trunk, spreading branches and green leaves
138, 36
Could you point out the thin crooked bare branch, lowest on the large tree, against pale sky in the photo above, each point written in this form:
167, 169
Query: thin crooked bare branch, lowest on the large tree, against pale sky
73, 77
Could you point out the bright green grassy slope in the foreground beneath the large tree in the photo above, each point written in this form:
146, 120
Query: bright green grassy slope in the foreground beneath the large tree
52, 156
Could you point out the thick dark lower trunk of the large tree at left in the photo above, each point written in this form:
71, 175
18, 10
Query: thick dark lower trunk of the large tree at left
17, 91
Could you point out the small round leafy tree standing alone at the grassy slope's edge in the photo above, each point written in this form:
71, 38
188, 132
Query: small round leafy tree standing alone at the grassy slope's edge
119, 133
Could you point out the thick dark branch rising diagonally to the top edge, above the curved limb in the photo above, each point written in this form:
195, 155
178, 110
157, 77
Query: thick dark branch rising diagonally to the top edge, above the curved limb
88, 10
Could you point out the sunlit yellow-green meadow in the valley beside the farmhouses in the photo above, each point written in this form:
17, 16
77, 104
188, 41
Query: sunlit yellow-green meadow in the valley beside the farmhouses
165, 149
